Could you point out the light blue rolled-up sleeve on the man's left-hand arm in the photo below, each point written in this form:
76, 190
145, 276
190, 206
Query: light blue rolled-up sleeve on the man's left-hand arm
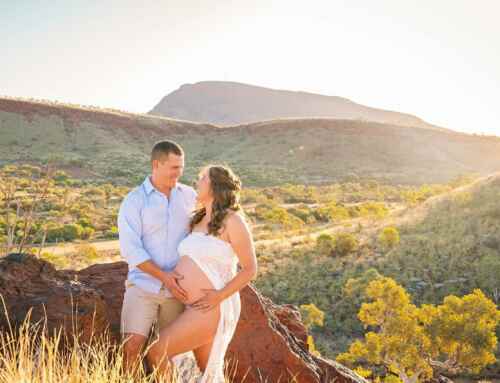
130, 232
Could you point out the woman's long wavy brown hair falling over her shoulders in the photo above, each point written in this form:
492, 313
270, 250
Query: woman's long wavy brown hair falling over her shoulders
226, 189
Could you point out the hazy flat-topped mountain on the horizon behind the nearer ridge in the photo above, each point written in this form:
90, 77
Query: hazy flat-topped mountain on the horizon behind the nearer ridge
230, 103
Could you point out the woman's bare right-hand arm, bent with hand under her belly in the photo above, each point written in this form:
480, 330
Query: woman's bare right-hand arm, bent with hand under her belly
241, 240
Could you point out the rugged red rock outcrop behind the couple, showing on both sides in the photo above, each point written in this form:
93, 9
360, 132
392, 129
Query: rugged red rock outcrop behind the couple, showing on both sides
269, 343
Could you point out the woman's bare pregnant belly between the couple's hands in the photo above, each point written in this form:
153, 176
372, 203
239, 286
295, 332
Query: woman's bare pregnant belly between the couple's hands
194, 279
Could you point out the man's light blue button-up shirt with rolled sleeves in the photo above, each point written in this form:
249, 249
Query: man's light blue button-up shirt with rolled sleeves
151, 226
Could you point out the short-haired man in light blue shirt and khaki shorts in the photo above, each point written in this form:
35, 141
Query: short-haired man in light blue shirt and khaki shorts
153, 219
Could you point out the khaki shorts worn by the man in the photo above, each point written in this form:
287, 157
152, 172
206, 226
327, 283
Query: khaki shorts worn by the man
142, 309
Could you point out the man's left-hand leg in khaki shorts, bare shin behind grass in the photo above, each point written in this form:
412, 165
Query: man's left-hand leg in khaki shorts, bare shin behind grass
139, 311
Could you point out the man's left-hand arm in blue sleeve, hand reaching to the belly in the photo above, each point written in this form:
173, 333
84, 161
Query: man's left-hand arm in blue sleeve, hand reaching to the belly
132, 247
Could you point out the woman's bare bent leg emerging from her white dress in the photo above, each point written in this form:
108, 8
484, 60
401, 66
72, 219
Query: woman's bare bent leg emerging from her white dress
191, 330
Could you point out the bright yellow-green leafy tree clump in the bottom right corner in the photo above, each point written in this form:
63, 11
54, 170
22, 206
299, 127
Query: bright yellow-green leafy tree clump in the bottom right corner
411, 342
